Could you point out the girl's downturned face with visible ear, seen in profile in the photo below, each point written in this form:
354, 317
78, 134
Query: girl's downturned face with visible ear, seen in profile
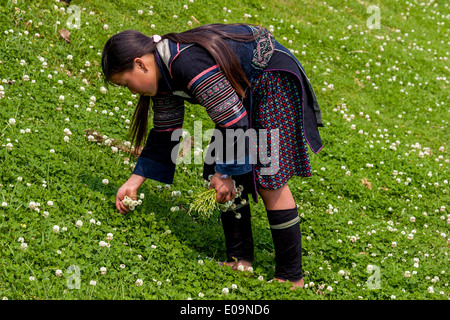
142, 79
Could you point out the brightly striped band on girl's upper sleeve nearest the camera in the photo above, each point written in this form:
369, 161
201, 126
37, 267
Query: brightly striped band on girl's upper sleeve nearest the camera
214, 92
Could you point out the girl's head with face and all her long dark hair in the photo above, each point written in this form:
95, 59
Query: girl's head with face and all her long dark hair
128, 59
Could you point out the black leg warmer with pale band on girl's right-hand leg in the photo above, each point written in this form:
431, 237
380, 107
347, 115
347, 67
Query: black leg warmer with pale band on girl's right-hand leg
285, 228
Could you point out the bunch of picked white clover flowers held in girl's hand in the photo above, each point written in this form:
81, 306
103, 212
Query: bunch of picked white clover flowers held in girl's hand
205, 203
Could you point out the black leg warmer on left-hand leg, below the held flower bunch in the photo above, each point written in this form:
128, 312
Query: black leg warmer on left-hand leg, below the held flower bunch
238, 233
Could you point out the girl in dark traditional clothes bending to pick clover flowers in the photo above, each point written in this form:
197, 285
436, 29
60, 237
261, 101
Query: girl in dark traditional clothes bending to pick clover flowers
246, 80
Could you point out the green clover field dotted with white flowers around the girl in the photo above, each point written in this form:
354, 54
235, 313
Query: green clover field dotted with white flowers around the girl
374, 216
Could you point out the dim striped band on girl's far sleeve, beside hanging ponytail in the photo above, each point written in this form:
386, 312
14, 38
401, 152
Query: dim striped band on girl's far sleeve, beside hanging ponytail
168, 112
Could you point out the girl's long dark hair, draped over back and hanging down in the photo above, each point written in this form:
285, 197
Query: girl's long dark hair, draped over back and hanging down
122, 48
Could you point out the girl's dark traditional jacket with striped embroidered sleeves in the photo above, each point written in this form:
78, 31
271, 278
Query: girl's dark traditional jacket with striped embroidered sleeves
189, 73
